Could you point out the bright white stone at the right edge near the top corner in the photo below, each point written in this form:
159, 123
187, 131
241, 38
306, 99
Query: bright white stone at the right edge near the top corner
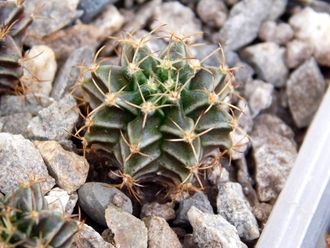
313, 27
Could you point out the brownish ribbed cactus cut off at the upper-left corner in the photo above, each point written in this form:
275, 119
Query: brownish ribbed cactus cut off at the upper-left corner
13, 22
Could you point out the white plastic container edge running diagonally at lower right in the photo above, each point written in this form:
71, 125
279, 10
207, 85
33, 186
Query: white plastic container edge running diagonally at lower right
301, 215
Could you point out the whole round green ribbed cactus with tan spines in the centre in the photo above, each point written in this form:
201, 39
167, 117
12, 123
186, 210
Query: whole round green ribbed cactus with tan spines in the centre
158, 114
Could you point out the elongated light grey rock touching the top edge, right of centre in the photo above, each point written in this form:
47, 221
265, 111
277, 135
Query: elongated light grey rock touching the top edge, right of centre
243, 23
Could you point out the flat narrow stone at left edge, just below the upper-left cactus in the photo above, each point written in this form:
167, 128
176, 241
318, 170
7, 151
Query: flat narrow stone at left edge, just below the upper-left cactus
30, 103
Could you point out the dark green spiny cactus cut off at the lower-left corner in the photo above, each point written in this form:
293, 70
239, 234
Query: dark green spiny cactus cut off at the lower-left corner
26, 222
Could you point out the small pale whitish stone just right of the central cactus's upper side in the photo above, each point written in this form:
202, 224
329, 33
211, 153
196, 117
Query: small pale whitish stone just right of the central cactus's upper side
259, 94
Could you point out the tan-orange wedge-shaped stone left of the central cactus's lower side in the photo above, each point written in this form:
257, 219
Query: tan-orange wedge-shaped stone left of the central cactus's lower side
69, 169
